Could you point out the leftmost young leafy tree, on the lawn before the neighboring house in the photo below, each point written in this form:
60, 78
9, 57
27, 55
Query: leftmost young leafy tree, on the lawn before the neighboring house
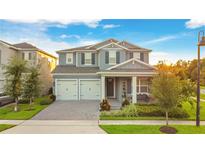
13, 73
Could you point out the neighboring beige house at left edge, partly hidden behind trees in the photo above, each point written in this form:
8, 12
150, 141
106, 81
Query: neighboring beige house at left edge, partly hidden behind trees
26, 51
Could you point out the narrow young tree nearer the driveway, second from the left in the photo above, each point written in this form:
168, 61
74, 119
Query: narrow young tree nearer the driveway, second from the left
31, 84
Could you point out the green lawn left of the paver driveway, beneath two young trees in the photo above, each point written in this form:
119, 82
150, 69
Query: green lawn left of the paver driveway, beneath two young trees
7, 112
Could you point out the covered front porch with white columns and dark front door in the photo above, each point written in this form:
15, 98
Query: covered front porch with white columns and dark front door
115, 89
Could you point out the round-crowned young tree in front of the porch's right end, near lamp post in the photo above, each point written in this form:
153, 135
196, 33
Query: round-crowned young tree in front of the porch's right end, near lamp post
166, 88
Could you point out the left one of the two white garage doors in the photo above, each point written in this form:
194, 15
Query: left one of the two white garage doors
67, 90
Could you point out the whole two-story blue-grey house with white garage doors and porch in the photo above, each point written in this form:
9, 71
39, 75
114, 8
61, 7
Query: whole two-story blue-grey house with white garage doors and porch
108, 69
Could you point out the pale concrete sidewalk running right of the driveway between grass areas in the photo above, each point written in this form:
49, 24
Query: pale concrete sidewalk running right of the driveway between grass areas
147, 122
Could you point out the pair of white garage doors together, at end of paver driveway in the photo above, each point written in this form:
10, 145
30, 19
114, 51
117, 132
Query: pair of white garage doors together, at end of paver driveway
77, 89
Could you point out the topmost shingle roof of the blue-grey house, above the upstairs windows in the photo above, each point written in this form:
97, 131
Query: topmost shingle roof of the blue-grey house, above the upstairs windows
125, 44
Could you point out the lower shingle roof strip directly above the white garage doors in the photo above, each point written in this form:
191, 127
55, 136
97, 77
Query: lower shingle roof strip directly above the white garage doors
74, 69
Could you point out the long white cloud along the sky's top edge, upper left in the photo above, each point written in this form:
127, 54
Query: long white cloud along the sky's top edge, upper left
92, 23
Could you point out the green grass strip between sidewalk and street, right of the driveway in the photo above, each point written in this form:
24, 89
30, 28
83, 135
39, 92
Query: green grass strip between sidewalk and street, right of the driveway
150, 129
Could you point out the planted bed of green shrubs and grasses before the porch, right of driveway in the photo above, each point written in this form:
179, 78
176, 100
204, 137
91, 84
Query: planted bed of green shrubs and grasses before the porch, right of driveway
148, 112
